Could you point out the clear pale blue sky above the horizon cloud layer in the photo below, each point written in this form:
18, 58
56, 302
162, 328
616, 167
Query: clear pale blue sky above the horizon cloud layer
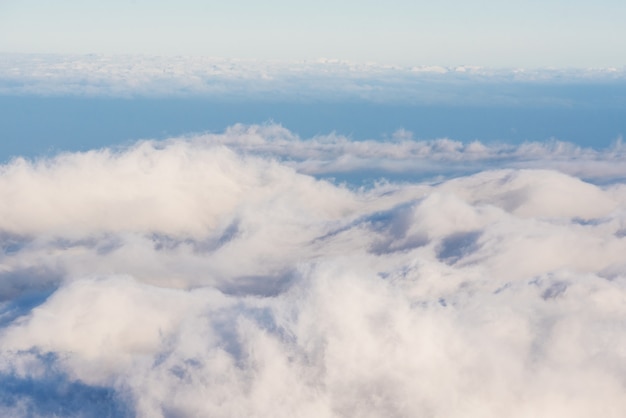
499, 33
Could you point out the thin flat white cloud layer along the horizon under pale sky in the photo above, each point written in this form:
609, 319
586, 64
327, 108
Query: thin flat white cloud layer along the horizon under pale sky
151, 76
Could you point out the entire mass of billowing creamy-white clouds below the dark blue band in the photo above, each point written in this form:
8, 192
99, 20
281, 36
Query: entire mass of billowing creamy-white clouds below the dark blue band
224, 275
